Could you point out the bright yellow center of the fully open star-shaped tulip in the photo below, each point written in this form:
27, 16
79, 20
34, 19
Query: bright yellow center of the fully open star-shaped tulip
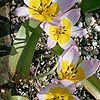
62, 35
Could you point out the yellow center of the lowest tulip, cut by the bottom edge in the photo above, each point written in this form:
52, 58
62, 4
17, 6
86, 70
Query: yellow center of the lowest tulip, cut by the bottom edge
58, 93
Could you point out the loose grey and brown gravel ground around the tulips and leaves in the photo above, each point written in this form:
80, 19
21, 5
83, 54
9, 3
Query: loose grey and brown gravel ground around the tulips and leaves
44, 60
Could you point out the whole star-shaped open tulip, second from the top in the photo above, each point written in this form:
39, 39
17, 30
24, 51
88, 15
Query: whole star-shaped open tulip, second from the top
63, 35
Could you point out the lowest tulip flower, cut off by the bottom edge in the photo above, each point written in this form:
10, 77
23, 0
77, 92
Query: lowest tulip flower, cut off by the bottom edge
59, 91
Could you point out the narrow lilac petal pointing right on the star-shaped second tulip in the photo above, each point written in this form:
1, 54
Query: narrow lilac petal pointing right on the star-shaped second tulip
77, 31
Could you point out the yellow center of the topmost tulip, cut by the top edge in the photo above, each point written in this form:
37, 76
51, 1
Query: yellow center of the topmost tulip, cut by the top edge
43, 10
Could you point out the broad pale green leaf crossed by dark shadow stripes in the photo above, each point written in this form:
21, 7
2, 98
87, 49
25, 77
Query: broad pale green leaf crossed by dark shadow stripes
18, 45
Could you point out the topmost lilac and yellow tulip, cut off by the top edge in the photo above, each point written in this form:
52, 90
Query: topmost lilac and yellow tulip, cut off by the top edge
44, 10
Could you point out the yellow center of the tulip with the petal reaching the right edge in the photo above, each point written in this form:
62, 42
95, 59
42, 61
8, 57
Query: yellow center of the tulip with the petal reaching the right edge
71, 72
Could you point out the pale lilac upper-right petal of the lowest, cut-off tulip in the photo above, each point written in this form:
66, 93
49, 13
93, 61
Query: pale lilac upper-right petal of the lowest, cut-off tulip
69, 84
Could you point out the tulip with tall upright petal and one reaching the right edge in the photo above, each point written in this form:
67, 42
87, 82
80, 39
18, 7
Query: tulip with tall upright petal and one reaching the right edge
69, 68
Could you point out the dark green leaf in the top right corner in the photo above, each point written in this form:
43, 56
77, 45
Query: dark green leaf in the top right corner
90, 5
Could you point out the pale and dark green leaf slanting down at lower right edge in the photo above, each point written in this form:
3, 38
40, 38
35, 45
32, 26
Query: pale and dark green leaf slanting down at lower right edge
92, 84
